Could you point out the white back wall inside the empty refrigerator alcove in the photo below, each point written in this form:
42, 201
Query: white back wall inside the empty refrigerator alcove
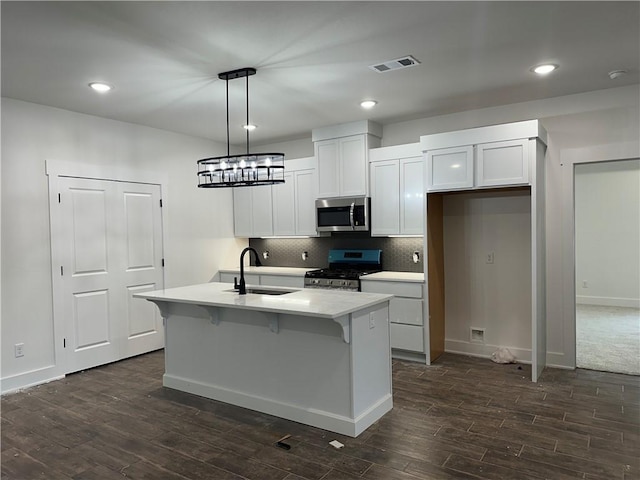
494, 296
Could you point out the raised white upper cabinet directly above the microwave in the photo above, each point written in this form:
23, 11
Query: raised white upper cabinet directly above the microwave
342, 152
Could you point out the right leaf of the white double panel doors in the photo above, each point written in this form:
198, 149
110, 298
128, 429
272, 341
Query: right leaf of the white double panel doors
142, 222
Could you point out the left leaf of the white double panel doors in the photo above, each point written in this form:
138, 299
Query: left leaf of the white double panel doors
93, 311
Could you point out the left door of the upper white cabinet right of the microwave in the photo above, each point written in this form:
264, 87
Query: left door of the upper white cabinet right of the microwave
385, 195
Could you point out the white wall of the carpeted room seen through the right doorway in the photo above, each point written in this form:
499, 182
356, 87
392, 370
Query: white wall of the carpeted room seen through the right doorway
607, 223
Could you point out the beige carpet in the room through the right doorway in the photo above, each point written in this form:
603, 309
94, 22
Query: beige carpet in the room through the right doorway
608, 338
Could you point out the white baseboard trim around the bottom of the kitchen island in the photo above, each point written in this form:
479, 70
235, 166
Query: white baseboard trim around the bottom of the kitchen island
317, 418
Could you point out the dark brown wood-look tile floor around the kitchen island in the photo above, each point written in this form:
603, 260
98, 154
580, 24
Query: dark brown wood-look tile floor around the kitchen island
462, 418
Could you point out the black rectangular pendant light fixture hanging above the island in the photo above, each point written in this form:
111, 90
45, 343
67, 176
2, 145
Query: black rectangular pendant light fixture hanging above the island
248, 169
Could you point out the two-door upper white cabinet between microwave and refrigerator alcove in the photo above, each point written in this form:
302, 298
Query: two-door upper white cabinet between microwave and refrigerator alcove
397, 190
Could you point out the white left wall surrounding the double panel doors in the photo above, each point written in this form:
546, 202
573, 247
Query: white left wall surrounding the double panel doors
198, 223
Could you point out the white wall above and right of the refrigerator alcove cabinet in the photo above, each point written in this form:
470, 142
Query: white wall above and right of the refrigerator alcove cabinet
592, 126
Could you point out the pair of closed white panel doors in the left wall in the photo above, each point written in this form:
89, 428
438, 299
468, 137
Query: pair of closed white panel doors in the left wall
111, 238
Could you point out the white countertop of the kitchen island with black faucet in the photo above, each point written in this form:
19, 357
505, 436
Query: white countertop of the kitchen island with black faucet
306, 302
